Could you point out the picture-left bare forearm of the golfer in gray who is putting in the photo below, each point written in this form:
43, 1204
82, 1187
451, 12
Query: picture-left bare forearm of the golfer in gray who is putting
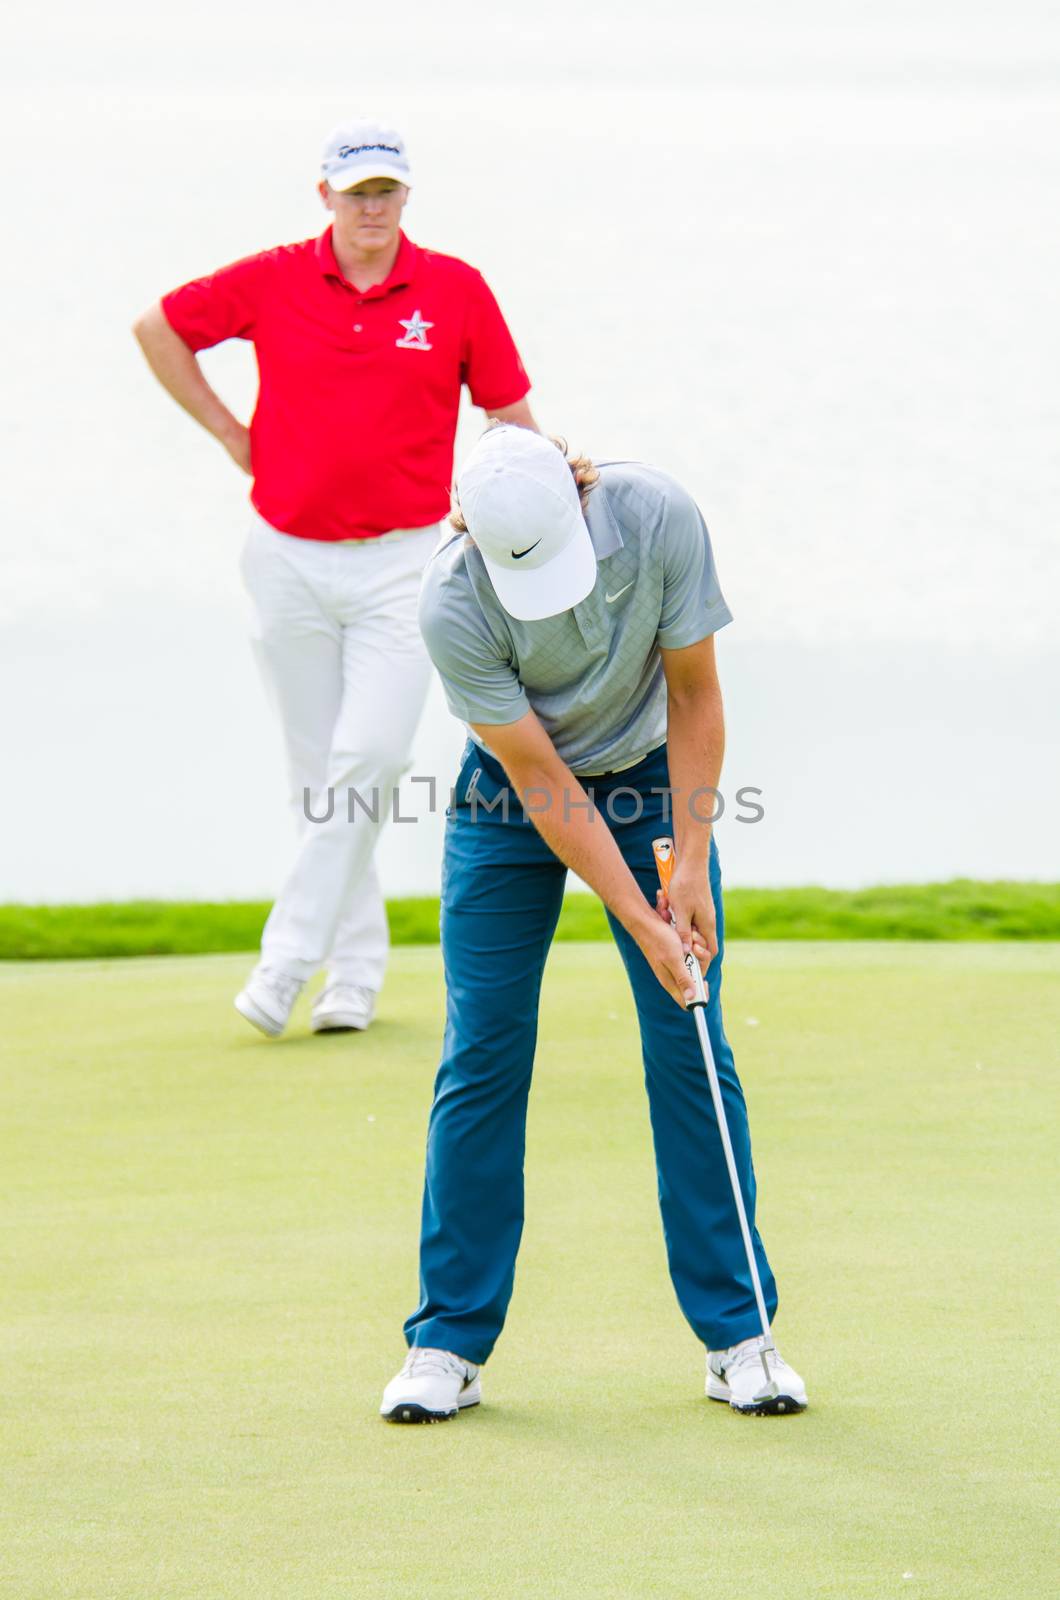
580, 838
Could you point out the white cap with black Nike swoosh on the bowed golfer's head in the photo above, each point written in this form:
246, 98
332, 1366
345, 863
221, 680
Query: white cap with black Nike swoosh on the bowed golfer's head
521, 503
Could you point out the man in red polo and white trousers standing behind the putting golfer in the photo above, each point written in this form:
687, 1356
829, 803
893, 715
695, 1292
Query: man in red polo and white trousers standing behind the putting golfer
364, 342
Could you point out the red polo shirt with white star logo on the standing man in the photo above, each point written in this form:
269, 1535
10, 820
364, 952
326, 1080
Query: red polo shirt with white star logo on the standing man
359, 390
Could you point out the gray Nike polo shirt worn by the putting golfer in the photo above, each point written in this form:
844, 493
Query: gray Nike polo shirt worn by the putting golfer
595, 674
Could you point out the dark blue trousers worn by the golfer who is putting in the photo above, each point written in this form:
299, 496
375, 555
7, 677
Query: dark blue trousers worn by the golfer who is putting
502, 894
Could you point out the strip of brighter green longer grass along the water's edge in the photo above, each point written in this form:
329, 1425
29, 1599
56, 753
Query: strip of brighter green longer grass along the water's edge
962, 910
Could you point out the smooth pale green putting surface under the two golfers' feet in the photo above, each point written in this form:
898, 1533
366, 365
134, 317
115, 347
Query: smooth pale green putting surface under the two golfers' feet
211, 1246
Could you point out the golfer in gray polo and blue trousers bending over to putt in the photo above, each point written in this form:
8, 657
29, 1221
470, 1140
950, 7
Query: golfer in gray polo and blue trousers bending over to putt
572, 620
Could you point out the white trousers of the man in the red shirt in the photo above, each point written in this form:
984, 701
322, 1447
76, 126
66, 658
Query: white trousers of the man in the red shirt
339, 646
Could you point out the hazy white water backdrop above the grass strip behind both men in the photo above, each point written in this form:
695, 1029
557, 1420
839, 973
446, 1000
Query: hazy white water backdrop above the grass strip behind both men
806, 262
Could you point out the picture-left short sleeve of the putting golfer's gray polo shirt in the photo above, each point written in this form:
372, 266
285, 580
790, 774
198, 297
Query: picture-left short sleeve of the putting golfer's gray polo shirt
480, 684
